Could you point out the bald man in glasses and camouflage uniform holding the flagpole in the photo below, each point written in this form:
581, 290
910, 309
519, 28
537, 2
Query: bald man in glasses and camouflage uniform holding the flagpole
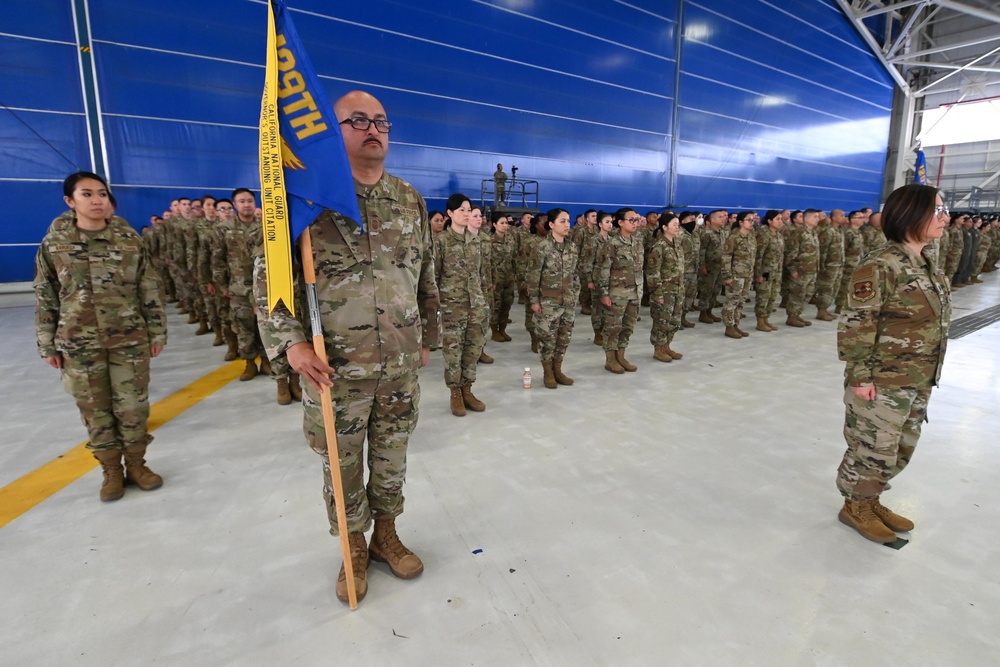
378, 304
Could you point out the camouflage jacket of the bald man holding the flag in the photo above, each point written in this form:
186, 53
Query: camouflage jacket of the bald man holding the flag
378, 301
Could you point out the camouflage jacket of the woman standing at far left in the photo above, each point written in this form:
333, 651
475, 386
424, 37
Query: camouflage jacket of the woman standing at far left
95, 290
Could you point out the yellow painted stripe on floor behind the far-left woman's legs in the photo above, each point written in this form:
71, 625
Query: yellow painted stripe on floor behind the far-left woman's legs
22, 494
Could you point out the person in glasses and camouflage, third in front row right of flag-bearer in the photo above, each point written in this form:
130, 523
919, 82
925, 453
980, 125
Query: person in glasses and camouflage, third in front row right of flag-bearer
618, 280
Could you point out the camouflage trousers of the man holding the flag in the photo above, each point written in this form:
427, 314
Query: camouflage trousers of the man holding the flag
383, 411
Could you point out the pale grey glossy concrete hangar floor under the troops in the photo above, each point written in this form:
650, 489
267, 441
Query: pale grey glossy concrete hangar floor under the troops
685, 514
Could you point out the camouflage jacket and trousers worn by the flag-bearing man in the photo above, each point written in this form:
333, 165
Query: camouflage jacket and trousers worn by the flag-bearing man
378, 304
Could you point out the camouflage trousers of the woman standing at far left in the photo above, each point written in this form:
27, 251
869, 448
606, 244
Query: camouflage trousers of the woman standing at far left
111, 389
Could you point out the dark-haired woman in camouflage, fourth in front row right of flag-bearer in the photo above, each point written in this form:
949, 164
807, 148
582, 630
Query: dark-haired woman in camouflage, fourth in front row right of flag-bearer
665, 277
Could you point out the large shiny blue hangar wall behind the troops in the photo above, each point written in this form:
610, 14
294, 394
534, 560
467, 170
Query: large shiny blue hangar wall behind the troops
773, 108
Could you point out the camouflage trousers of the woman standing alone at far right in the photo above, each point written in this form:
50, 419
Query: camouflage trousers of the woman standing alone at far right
881, 436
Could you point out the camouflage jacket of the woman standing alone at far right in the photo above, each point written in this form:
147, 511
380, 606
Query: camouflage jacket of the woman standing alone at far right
895, 329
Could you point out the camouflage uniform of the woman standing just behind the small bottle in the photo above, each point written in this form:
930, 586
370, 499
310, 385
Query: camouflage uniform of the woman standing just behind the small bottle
554, 284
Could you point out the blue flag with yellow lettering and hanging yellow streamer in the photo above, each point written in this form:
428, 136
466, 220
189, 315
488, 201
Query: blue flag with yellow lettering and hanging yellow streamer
298, 132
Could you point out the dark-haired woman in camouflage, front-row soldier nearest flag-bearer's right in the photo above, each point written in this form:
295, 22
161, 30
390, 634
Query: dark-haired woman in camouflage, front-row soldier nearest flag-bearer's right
458, 268
